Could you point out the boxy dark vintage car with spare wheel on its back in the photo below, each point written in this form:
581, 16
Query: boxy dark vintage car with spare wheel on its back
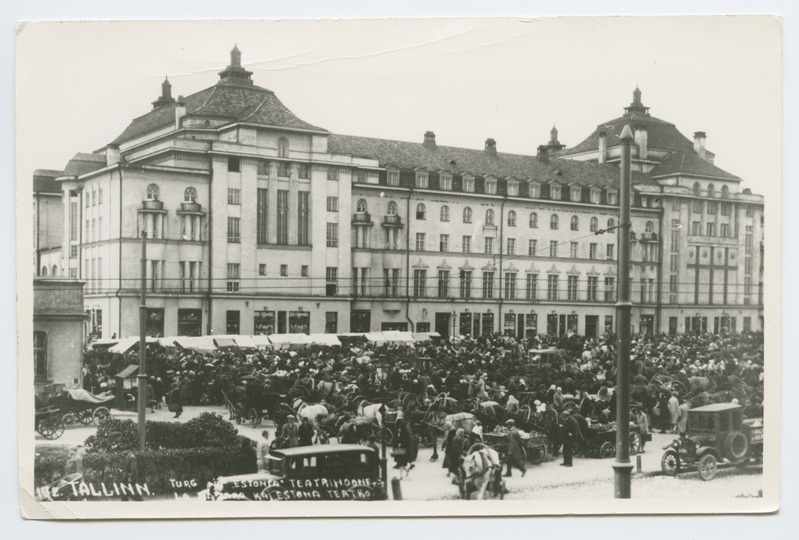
714, 433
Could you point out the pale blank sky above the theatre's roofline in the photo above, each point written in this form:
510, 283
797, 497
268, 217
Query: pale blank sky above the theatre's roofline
80, 84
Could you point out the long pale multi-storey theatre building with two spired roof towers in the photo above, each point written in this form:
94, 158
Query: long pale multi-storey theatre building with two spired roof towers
258, 222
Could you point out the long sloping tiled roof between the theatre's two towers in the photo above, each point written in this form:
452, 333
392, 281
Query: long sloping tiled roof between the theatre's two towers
405, 155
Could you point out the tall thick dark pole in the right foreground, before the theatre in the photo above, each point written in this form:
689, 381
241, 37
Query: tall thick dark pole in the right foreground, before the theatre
622, 468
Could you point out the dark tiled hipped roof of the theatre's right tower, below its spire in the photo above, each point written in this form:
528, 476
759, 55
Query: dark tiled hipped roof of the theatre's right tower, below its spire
660, 134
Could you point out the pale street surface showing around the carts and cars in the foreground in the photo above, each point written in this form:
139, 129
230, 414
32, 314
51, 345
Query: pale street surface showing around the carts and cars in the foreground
589, 478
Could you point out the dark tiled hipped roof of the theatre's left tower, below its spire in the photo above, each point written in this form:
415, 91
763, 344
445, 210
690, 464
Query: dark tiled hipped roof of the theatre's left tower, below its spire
251, 104
